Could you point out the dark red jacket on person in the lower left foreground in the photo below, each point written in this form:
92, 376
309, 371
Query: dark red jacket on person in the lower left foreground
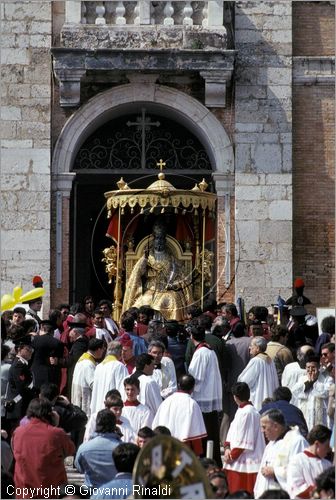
39, 450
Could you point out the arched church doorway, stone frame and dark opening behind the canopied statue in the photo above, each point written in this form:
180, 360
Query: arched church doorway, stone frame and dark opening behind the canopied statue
77, 190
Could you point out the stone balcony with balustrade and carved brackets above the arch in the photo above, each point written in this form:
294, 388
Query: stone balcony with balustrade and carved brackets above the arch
116, 39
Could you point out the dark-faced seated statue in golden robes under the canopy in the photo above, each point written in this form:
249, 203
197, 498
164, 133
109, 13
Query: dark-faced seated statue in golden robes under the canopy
158, 280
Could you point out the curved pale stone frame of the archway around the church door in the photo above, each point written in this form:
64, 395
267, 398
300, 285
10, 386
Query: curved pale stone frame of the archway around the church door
112, 103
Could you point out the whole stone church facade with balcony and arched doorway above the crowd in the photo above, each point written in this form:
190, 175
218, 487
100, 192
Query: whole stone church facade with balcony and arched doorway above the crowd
251, 83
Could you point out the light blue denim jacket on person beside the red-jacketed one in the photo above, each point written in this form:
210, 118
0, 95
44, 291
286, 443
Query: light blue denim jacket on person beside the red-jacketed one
94, 459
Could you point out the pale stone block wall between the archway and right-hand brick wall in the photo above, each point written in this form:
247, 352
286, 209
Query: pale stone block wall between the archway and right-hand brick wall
263, 151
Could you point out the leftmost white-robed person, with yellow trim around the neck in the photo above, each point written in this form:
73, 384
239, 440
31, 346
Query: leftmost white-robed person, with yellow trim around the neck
82, 381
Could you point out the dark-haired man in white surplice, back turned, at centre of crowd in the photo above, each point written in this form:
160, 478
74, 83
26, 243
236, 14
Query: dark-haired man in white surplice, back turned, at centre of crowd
181, 414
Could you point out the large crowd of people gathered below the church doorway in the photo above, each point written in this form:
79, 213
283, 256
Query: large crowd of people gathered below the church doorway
260, 390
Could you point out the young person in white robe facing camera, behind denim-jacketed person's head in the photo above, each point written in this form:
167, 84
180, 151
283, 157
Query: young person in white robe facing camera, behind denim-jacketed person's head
115, 405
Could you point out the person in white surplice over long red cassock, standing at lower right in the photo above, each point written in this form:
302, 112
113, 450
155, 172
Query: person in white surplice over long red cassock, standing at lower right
245, 444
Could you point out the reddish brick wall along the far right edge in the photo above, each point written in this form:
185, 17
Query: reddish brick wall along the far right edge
314, 156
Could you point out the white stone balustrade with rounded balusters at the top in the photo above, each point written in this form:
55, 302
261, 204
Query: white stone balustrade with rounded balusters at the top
207, 14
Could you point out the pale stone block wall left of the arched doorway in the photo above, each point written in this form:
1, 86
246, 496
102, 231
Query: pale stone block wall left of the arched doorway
25, 144
